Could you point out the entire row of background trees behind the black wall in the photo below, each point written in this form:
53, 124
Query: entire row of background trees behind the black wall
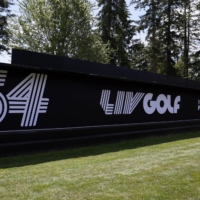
103, 31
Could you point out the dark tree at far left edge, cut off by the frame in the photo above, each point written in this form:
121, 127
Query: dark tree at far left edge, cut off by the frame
4, 15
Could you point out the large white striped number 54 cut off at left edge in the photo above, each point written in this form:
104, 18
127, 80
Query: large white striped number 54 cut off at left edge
26, 98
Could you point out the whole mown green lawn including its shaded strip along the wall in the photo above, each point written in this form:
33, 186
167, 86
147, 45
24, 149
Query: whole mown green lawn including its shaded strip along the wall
165, 167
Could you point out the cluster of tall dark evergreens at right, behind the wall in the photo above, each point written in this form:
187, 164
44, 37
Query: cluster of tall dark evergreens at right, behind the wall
172, 33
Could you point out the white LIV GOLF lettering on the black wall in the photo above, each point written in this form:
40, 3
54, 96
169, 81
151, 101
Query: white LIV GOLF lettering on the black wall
126, 102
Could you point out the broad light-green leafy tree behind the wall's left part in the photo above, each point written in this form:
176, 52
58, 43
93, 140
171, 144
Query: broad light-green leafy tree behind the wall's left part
58, 27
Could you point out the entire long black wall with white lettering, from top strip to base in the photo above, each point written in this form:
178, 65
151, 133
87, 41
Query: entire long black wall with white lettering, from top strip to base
53, 101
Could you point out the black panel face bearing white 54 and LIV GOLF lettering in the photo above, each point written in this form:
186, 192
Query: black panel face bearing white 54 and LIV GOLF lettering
32, 99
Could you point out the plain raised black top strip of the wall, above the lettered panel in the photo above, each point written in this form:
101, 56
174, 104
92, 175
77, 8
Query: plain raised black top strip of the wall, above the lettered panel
58, 63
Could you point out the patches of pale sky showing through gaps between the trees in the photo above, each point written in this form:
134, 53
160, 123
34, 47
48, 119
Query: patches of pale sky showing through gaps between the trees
4, 58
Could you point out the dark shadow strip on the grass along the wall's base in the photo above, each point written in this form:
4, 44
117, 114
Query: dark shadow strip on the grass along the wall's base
42, 157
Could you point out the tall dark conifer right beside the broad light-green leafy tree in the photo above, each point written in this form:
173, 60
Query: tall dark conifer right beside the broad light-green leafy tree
115, 27
